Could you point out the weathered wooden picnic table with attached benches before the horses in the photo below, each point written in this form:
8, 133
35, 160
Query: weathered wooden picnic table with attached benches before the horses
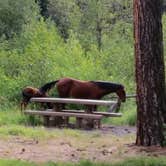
84, 118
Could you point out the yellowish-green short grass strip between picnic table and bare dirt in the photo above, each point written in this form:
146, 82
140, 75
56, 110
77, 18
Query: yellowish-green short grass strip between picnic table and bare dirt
42, 133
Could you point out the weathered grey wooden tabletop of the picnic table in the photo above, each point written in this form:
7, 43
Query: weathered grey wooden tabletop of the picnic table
73, 101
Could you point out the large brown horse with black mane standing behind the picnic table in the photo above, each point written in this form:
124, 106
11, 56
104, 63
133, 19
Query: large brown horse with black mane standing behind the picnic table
69, 87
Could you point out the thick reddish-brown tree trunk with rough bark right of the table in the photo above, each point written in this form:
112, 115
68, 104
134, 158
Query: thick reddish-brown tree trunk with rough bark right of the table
150, 75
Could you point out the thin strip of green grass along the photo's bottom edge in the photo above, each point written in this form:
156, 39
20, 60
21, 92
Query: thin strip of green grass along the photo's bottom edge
129, 162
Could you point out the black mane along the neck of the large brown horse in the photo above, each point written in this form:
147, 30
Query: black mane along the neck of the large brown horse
108, 85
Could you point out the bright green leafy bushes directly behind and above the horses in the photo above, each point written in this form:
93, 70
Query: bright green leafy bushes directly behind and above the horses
40, 55
